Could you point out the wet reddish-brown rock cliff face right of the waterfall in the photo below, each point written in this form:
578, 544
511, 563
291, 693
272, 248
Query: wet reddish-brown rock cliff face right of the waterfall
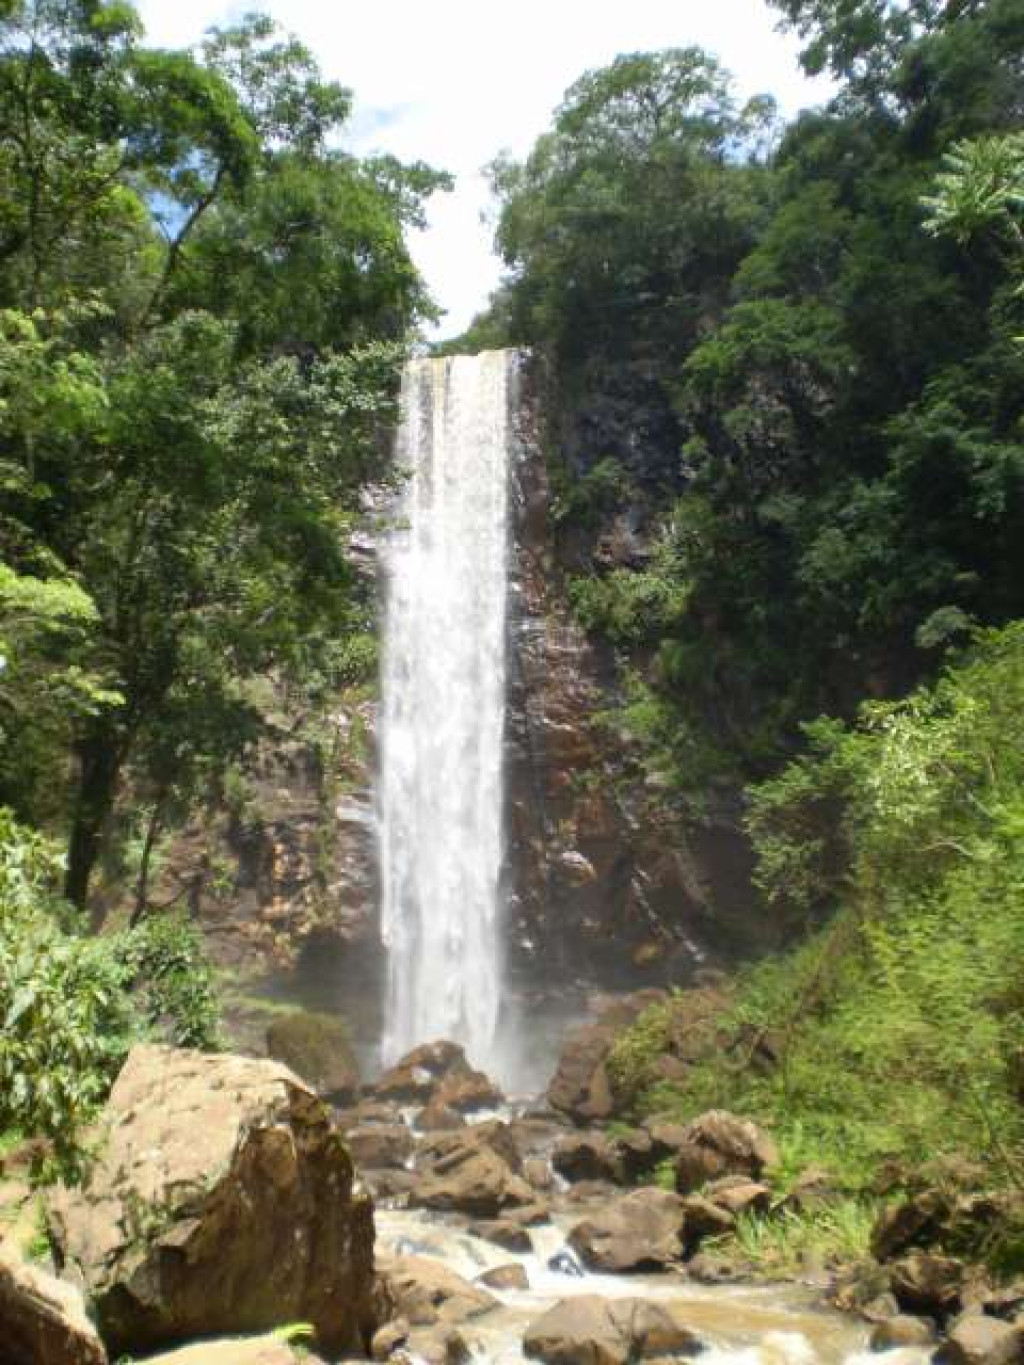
610, 882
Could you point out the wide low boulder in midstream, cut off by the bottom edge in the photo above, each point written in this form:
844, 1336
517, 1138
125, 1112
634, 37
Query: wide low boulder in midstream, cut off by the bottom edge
589, 1330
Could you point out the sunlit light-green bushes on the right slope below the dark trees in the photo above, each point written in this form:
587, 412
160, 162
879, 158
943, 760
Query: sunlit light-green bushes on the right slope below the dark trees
898, 1030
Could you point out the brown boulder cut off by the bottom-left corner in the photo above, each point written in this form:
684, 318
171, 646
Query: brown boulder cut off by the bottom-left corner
43, 1321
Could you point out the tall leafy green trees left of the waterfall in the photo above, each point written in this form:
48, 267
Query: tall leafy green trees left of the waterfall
204, 311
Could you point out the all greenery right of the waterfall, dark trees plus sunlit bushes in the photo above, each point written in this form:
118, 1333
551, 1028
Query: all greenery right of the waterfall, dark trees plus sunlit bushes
786, 425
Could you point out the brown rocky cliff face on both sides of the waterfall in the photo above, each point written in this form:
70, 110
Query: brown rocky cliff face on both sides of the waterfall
608, 884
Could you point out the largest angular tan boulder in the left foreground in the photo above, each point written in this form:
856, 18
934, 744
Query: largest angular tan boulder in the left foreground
222, 1202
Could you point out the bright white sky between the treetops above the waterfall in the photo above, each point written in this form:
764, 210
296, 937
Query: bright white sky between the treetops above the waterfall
453, 83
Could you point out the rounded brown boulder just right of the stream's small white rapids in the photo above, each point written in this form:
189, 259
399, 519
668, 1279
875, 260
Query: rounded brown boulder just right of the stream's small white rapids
640, 1232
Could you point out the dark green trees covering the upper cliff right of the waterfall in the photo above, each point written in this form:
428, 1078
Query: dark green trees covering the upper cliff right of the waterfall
790, 362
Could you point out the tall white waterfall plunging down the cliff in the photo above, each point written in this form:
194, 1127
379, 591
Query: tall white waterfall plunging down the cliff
443, 705
